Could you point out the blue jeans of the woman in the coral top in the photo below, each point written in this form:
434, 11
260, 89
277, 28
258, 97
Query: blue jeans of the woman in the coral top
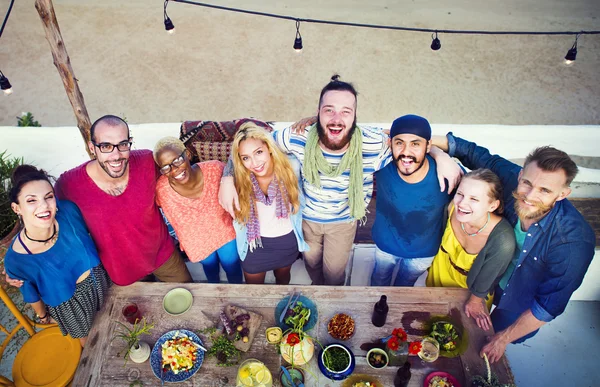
228, 257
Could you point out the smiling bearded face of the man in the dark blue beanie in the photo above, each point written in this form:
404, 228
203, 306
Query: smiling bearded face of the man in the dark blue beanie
409, 152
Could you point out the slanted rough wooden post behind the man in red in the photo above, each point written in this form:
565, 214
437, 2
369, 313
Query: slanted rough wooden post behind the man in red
63, 65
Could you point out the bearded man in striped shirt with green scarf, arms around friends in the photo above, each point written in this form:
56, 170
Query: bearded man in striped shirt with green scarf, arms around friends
338, 160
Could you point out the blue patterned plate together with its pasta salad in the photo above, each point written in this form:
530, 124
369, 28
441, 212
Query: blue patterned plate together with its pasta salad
176, 356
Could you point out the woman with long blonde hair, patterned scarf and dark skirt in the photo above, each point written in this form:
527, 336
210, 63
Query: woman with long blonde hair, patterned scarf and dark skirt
269, 222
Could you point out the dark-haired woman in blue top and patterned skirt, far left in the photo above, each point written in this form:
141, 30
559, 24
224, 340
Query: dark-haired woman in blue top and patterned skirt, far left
54, 256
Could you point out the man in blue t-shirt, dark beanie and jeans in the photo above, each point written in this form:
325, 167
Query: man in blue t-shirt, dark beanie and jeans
411, 210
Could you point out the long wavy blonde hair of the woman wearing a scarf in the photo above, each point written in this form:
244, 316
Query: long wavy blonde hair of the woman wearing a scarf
281, 167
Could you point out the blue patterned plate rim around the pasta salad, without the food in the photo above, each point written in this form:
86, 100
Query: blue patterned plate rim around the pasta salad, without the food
156, 357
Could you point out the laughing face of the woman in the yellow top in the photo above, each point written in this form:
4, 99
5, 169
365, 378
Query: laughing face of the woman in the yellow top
472, 201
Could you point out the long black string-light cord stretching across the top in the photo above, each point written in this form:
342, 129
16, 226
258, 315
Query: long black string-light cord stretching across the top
434, 43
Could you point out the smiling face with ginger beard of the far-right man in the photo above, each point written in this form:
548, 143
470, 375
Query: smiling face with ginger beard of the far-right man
538, 191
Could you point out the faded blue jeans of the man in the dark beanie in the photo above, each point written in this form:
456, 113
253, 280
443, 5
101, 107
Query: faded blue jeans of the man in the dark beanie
408, 273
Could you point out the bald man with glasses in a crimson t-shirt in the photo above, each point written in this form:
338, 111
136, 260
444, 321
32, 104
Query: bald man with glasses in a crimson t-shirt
115, 193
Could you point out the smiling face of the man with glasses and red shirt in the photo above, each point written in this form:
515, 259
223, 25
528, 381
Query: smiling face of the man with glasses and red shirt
116, 162
